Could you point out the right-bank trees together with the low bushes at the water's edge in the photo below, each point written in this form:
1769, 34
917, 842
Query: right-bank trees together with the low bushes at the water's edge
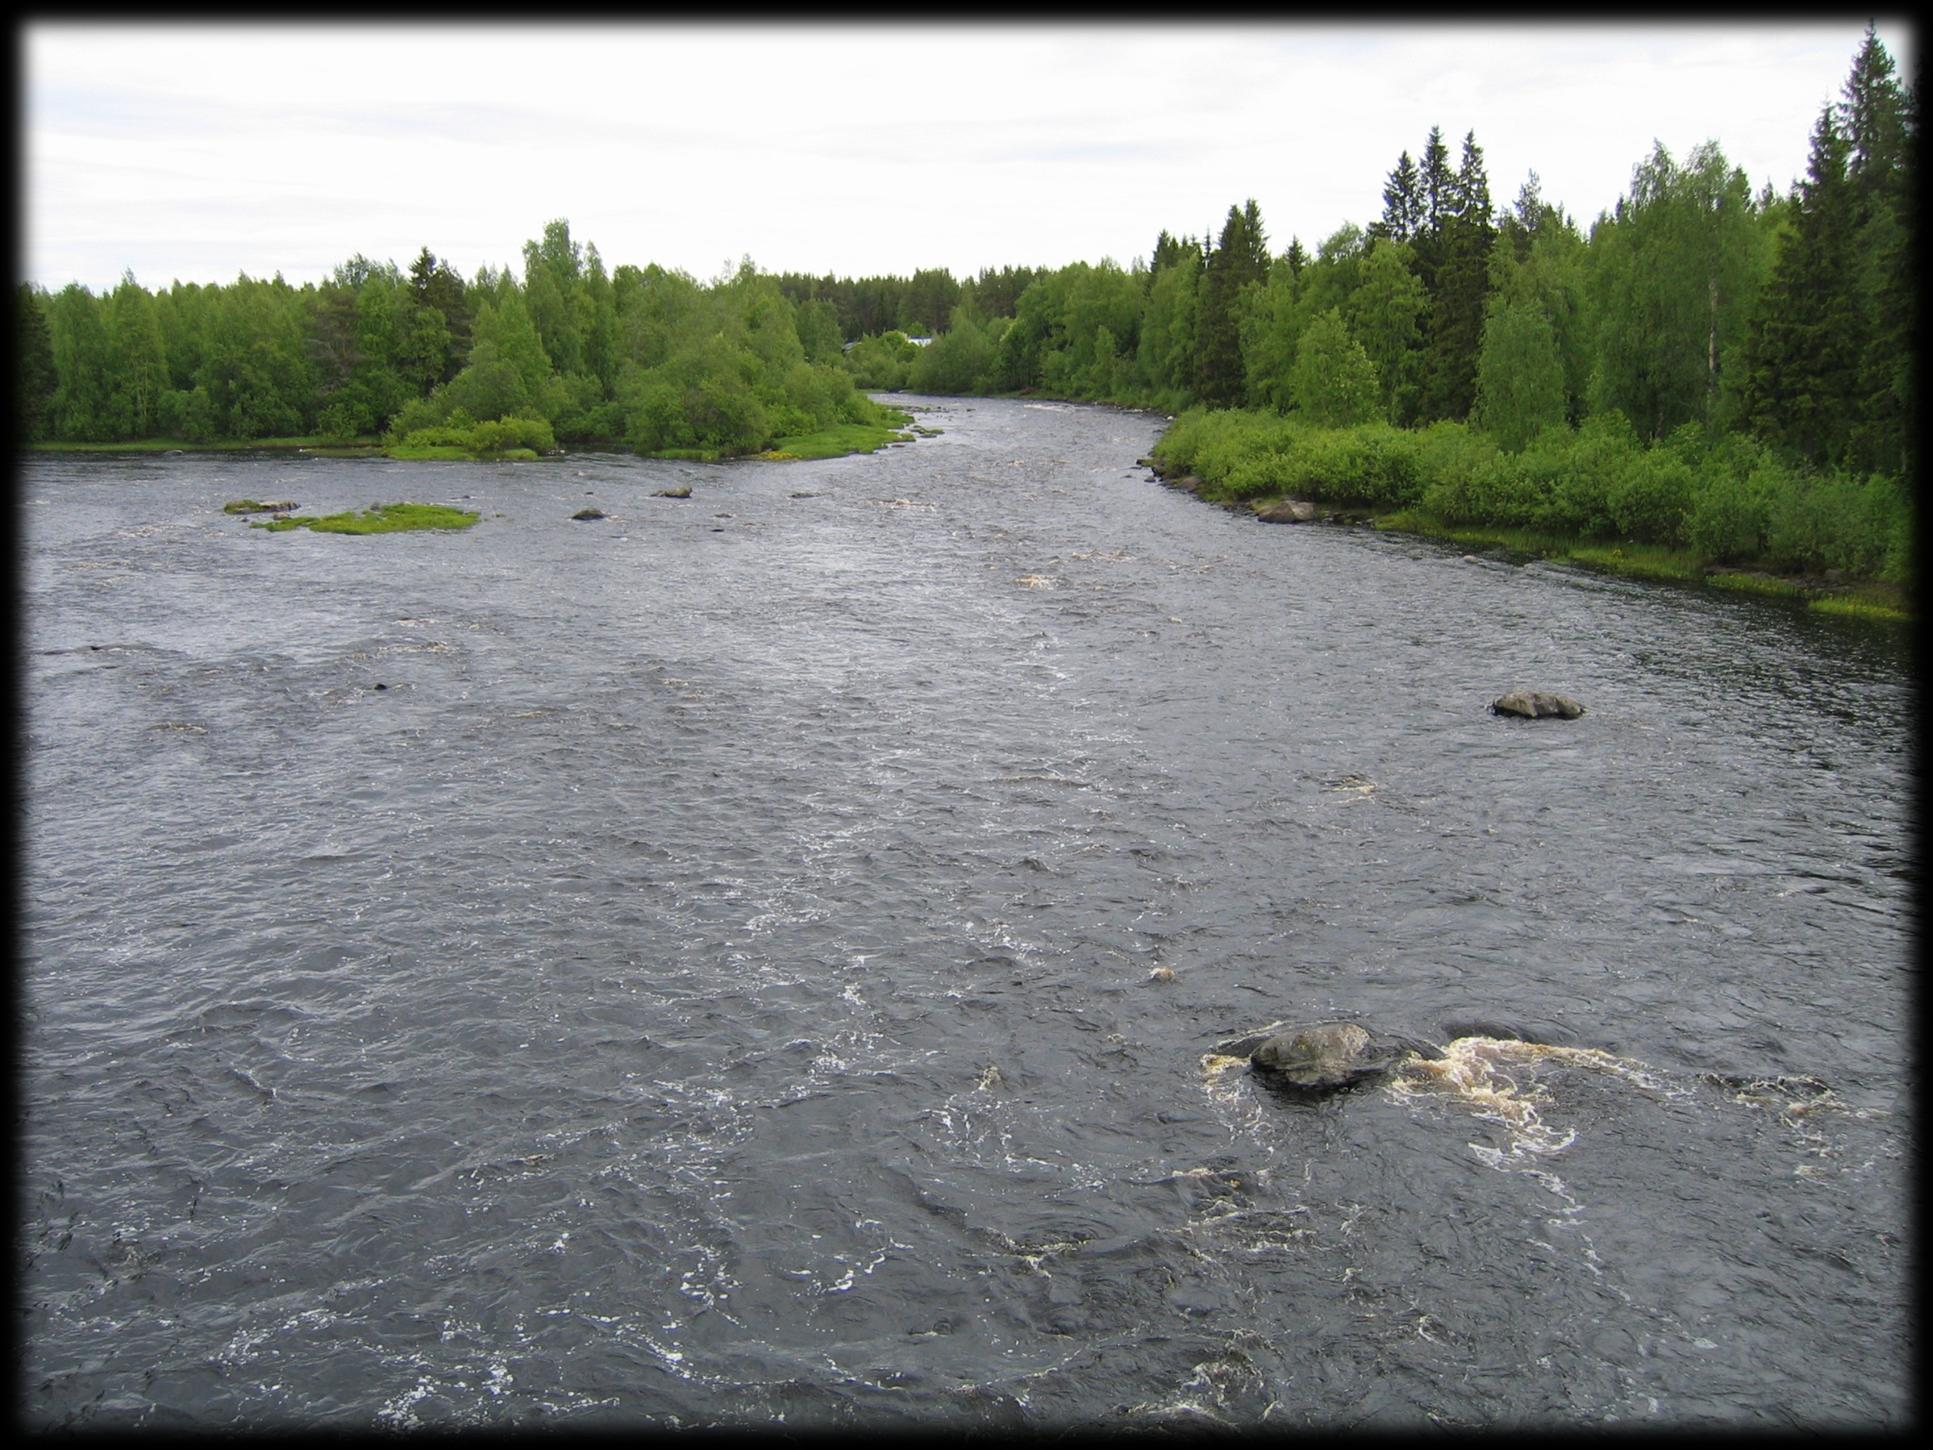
1702, 368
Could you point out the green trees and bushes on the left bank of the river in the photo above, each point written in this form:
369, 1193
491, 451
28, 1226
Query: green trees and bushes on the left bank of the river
438, 366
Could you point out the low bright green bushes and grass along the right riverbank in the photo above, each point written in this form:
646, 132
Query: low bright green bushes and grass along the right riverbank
1681, 513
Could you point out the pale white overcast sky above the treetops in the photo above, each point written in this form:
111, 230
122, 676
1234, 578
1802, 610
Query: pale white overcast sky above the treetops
202, 152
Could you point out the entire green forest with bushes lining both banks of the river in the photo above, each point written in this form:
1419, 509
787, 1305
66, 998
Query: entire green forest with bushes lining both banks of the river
1706, 368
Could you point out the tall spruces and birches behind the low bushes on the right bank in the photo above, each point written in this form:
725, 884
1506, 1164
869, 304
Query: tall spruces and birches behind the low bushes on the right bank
1694, 301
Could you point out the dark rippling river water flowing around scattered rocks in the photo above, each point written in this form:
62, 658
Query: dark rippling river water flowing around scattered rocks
759, 958
